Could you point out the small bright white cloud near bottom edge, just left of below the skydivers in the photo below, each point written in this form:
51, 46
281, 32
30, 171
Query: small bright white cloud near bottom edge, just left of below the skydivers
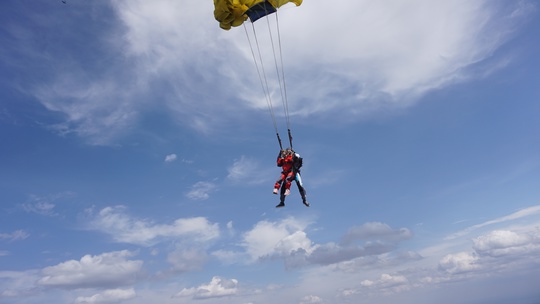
218, 287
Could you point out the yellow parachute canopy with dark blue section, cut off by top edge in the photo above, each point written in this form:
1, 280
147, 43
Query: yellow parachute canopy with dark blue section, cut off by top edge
231, 13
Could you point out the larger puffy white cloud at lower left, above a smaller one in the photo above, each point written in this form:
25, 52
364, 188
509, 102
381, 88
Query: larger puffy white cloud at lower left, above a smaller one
104, 270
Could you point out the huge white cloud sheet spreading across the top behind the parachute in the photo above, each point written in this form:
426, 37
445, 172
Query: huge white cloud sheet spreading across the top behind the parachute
394, 53
